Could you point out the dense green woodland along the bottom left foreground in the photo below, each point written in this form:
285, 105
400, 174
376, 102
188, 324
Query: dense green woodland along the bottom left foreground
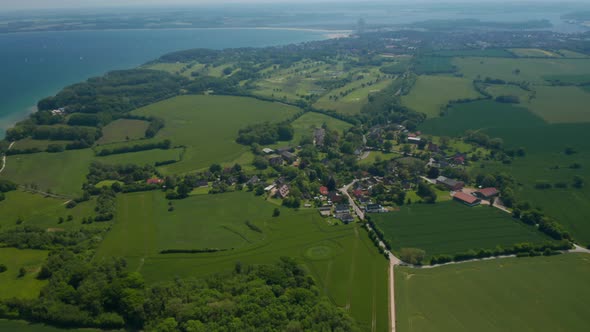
81, 293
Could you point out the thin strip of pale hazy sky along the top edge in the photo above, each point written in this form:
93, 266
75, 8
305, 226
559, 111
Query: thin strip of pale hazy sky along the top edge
73, 4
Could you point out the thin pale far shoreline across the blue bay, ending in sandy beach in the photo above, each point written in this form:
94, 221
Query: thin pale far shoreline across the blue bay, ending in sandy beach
328, 33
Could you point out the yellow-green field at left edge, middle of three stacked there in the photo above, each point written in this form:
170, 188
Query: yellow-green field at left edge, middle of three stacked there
37, 210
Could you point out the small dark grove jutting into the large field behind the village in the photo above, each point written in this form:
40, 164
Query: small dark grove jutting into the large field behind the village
265, 133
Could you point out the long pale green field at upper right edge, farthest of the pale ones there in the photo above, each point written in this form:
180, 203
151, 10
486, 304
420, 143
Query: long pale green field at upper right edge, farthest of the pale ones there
518, 70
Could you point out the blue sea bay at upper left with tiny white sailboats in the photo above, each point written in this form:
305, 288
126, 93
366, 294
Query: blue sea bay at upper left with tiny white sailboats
36, 65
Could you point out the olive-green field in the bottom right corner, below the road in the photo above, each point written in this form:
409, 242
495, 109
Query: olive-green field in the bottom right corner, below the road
514, 294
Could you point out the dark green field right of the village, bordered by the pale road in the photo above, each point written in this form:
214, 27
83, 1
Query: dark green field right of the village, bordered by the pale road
450, 228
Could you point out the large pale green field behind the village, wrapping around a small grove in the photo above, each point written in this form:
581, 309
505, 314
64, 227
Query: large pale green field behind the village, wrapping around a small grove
208, 126
